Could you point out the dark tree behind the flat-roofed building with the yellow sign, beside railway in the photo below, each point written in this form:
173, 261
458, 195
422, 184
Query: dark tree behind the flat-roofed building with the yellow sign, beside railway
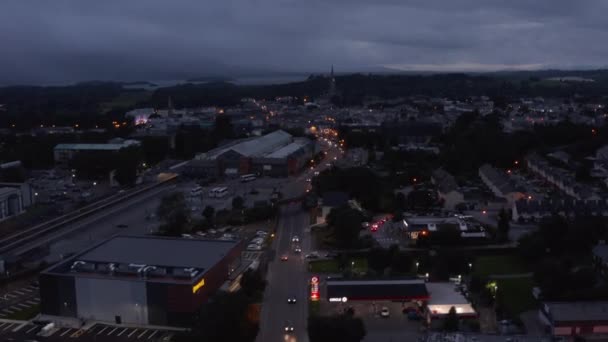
173, 211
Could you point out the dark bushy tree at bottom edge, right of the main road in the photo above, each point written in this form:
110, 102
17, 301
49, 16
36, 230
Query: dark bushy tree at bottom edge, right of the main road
344, 328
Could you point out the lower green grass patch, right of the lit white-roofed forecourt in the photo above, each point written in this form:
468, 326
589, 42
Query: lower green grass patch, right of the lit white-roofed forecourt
516, 295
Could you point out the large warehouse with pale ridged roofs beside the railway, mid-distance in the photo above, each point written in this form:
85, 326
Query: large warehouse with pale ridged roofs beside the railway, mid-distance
277, 154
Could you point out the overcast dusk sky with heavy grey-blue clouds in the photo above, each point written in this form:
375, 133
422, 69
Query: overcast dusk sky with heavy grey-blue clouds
58, 41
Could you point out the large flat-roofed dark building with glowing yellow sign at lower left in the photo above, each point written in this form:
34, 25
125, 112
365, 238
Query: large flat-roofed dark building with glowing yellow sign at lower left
138, 280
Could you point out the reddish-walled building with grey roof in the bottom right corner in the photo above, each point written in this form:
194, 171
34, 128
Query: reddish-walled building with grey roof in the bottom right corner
584, 319
